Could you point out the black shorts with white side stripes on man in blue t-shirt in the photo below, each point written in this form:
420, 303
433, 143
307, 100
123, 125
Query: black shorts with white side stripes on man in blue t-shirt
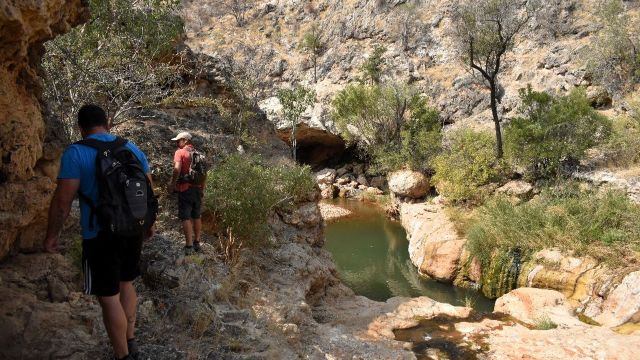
109, 260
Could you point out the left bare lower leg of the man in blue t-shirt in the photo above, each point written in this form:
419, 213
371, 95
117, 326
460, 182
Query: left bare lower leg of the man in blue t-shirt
115, 321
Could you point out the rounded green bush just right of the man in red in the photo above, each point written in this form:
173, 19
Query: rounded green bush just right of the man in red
242, 191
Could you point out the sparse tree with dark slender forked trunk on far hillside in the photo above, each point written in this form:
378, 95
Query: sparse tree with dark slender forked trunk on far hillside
485, 32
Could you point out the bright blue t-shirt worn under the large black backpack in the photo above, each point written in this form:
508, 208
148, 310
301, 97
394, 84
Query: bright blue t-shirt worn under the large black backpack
79, 162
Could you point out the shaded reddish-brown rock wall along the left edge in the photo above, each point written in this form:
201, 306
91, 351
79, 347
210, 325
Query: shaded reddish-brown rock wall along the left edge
29, 142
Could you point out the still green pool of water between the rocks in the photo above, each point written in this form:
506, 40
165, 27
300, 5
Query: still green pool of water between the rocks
372, 257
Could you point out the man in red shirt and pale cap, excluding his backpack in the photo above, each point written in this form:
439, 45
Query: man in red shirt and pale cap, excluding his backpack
189, 195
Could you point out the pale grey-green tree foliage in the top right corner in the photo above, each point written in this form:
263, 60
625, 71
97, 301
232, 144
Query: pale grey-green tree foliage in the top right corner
613, 59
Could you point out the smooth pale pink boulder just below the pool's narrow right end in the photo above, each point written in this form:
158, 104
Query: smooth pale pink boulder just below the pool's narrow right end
531, 306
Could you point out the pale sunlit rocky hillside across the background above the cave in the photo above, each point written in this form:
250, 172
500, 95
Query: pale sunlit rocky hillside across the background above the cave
547, 55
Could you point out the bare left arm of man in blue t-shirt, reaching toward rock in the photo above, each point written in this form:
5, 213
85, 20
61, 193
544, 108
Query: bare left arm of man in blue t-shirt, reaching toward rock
59, 210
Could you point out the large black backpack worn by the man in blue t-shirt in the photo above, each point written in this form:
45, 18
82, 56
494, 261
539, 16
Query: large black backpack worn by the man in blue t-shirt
126, 204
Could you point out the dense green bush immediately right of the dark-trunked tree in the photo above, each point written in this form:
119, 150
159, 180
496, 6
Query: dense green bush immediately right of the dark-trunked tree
553, 130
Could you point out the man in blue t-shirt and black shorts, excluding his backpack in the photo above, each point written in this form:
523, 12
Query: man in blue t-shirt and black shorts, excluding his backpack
110, 264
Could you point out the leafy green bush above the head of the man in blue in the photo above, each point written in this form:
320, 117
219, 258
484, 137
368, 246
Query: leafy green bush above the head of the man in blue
120, 59
